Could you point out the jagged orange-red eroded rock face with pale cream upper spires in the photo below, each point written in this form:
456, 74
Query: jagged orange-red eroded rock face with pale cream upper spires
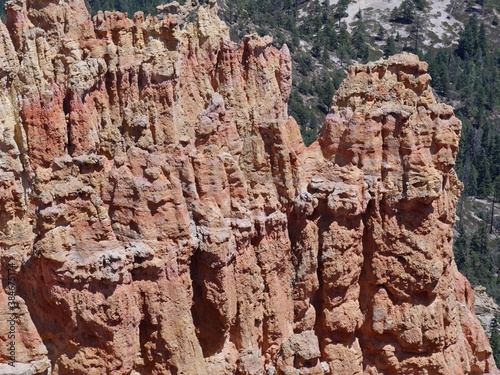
164, 216
